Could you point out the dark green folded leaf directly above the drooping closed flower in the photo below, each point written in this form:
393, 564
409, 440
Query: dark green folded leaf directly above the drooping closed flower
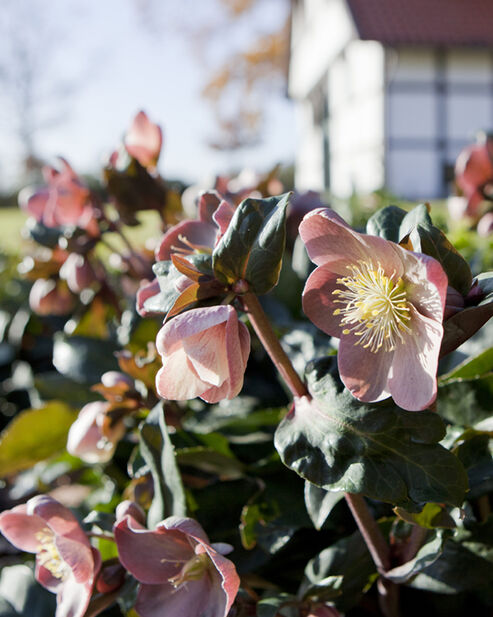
253, 245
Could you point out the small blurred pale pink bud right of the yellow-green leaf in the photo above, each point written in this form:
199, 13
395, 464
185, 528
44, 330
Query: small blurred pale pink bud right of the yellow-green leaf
91, 437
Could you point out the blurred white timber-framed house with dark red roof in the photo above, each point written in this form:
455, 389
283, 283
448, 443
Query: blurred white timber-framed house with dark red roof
388, 91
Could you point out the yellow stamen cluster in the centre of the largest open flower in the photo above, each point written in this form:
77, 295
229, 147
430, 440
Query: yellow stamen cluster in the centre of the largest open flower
375, 306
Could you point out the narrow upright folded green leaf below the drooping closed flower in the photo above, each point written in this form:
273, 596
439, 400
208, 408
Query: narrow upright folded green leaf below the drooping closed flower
159, 454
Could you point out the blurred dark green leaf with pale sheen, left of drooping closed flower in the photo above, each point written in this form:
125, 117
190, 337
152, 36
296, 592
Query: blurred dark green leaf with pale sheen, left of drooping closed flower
84, 359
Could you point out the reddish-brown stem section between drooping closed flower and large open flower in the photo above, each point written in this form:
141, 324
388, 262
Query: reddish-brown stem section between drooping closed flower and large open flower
271, 343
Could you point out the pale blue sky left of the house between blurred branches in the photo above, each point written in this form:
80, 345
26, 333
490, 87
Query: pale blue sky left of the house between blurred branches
127, 55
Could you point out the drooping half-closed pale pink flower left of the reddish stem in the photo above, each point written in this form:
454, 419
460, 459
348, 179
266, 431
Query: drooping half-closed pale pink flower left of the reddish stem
205, 352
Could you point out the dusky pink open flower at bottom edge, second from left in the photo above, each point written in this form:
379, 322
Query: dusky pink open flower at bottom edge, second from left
180, 572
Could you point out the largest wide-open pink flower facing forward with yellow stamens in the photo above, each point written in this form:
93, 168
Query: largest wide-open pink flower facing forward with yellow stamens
386, 305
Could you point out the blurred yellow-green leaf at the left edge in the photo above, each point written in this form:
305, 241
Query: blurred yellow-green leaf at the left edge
34, 435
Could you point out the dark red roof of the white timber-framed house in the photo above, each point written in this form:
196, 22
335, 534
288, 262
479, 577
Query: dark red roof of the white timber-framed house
424, 22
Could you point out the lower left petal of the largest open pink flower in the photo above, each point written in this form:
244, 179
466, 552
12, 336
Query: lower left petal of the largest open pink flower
363, 372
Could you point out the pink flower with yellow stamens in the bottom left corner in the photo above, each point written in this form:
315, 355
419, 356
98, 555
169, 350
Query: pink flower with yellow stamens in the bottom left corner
66, 564
